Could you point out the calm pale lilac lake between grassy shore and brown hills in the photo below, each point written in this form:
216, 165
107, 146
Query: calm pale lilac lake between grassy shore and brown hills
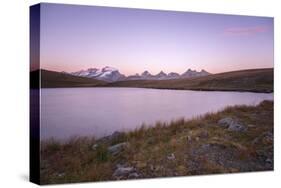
98, 112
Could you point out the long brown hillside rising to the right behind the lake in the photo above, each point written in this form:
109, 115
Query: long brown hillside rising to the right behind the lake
255, 80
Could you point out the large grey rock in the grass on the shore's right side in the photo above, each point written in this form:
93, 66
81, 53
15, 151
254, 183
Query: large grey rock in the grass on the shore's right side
232, 125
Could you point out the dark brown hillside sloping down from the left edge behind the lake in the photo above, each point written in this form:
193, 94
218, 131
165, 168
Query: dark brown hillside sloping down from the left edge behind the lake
52, 79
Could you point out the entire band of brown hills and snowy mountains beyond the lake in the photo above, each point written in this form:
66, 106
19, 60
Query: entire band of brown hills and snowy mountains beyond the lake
253, 80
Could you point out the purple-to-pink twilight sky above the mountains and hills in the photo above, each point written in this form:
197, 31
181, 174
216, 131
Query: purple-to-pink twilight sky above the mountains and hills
134, 40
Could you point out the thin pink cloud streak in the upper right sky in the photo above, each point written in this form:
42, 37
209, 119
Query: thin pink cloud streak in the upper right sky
245, 31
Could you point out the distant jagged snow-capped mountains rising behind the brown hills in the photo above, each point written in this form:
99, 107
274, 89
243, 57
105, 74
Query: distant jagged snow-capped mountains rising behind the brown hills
111, 74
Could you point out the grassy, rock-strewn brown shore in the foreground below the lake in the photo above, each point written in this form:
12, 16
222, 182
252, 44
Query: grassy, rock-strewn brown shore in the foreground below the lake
204, 145
